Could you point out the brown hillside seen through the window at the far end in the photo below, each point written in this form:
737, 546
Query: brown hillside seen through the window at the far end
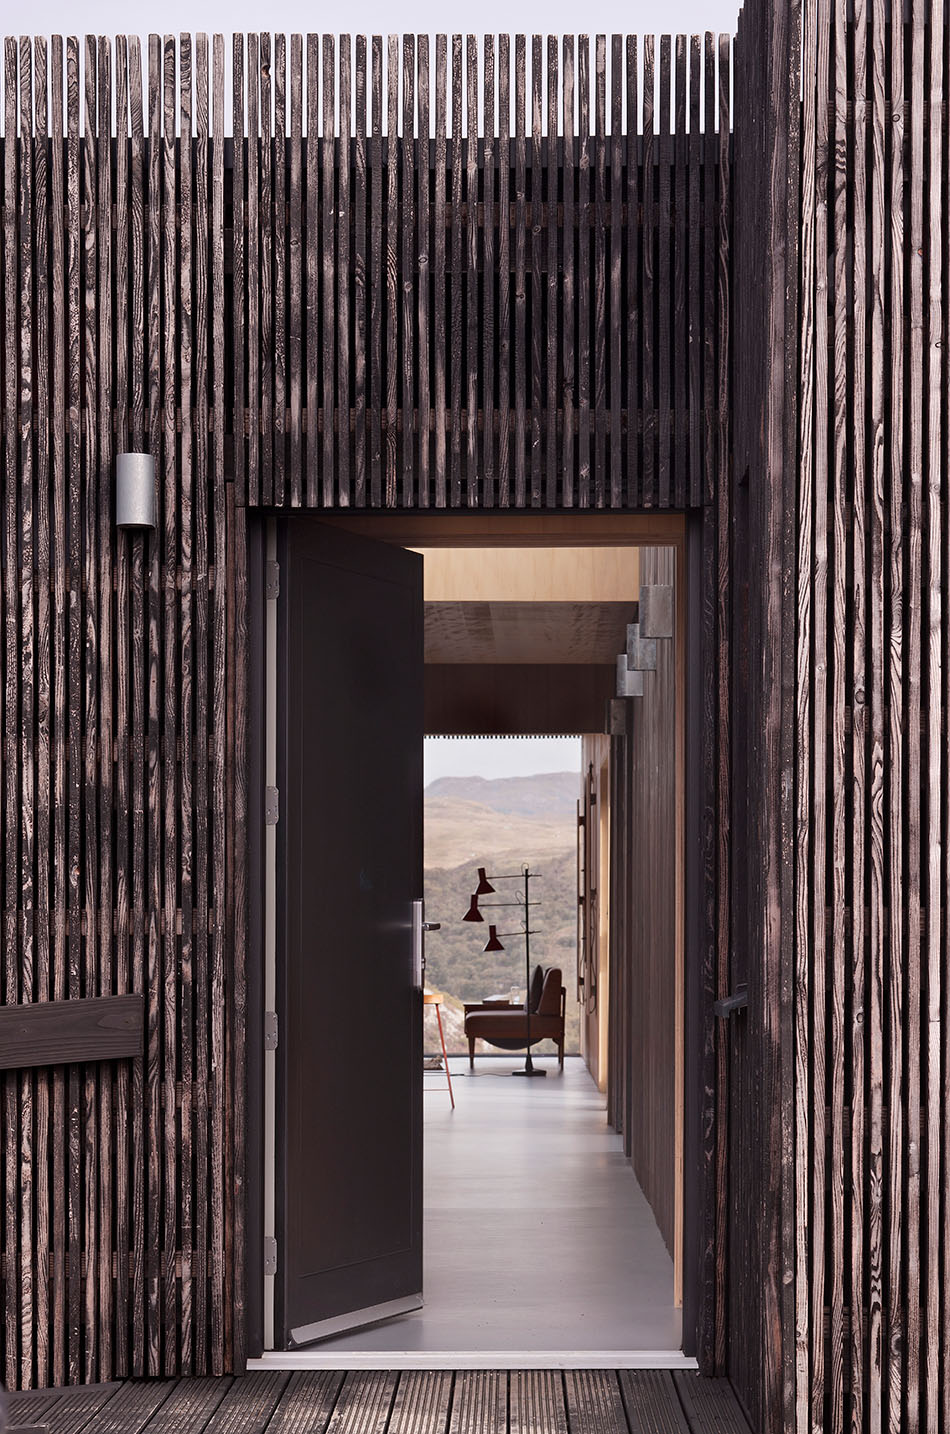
514, 821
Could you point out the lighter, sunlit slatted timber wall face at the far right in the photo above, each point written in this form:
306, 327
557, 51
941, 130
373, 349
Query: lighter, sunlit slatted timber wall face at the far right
872, 1151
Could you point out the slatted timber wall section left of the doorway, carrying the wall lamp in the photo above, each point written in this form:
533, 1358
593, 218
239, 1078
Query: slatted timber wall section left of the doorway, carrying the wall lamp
120, 1207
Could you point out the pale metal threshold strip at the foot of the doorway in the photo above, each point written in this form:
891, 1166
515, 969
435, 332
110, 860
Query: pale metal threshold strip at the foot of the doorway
476, 1360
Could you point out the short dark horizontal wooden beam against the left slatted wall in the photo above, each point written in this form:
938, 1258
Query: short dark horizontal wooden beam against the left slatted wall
62, 1033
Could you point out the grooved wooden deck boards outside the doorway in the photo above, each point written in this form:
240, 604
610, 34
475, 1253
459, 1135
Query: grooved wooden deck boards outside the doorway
575, 1402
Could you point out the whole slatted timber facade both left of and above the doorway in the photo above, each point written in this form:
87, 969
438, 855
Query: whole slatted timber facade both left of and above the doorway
331, 313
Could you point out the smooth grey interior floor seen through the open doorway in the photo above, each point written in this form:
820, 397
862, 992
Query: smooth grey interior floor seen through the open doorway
537, 1237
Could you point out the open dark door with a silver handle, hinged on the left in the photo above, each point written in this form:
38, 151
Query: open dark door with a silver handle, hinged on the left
349, 1076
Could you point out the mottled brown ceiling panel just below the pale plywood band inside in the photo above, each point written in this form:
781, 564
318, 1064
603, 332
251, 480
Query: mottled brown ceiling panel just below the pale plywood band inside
586, 633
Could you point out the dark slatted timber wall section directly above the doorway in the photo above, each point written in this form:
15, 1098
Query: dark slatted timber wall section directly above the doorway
489, 275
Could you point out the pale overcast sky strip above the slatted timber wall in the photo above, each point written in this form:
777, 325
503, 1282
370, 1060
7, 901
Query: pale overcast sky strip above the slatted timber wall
375, 16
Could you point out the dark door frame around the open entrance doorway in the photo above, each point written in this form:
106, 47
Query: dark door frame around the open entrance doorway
502, 530
